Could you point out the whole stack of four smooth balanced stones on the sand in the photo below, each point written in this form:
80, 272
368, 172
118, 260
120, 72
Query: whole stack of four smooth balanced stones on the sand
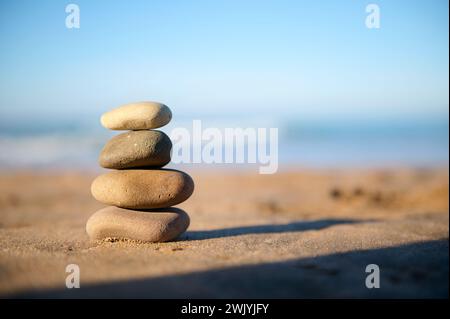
140, 193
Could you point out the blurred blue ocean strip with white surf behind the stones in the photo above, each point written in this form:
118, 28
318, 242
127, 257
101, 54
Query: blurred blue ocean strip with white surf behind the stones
75, 143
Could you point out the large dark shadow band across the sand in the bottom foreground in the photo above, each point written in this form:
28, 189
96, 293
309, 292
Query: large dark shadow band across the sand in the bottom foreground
418, 270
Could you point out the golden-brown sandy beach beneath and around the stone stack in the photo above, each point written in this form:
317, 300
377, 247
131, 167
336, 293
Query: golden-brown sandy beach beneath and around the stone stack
296, 234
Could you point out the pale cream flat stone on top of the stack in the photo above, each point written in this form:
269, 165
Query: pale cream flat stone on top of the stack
137, 116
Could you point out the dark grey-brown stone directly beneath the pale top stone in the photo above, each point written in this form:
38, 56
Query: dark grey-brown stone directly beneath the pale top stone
136, 149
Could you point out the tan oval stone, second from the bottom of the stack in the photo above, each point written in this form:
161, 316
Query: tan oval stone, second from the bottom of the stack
142, 188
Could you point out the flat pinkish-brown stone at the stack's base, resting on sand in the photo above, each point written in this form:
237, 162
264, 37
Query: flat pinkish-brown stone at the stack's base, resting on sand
147, 226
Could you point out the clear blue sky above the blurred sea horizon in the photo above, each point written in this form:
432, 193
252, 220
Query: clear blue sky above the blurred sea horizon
295, 58
